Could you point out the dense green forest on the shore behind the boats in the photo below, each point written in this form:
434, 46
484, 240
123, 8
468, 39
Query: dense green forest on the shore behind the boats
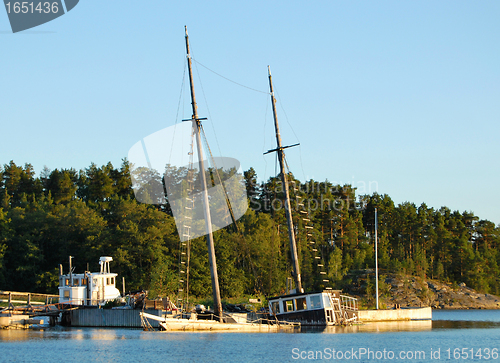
93, 212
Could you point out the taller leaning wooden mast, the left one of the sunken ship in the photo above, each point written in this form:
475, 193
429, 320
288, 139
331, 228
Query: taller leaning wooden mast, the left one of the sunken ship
206, 209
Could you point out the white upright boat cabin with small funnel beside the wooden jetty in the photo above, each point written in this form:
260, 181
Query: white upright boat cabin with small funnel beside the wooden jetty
89, 288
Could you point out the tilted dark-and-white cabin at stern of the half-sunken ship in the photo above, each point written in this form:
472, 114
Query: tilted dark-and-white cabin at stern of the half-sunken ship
328, 307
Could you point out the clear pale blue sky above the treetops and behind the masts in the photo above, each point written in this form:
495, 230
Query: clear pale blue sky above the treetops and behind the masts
397, 97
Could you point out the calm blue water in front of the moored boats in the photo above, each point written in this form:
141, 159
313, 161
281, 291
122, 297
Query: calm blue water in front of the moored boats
451, 336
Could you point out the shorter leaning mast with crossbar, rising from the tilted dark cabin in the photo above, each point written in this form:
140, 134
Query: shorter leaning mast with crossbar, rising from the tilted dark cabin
284, 180
